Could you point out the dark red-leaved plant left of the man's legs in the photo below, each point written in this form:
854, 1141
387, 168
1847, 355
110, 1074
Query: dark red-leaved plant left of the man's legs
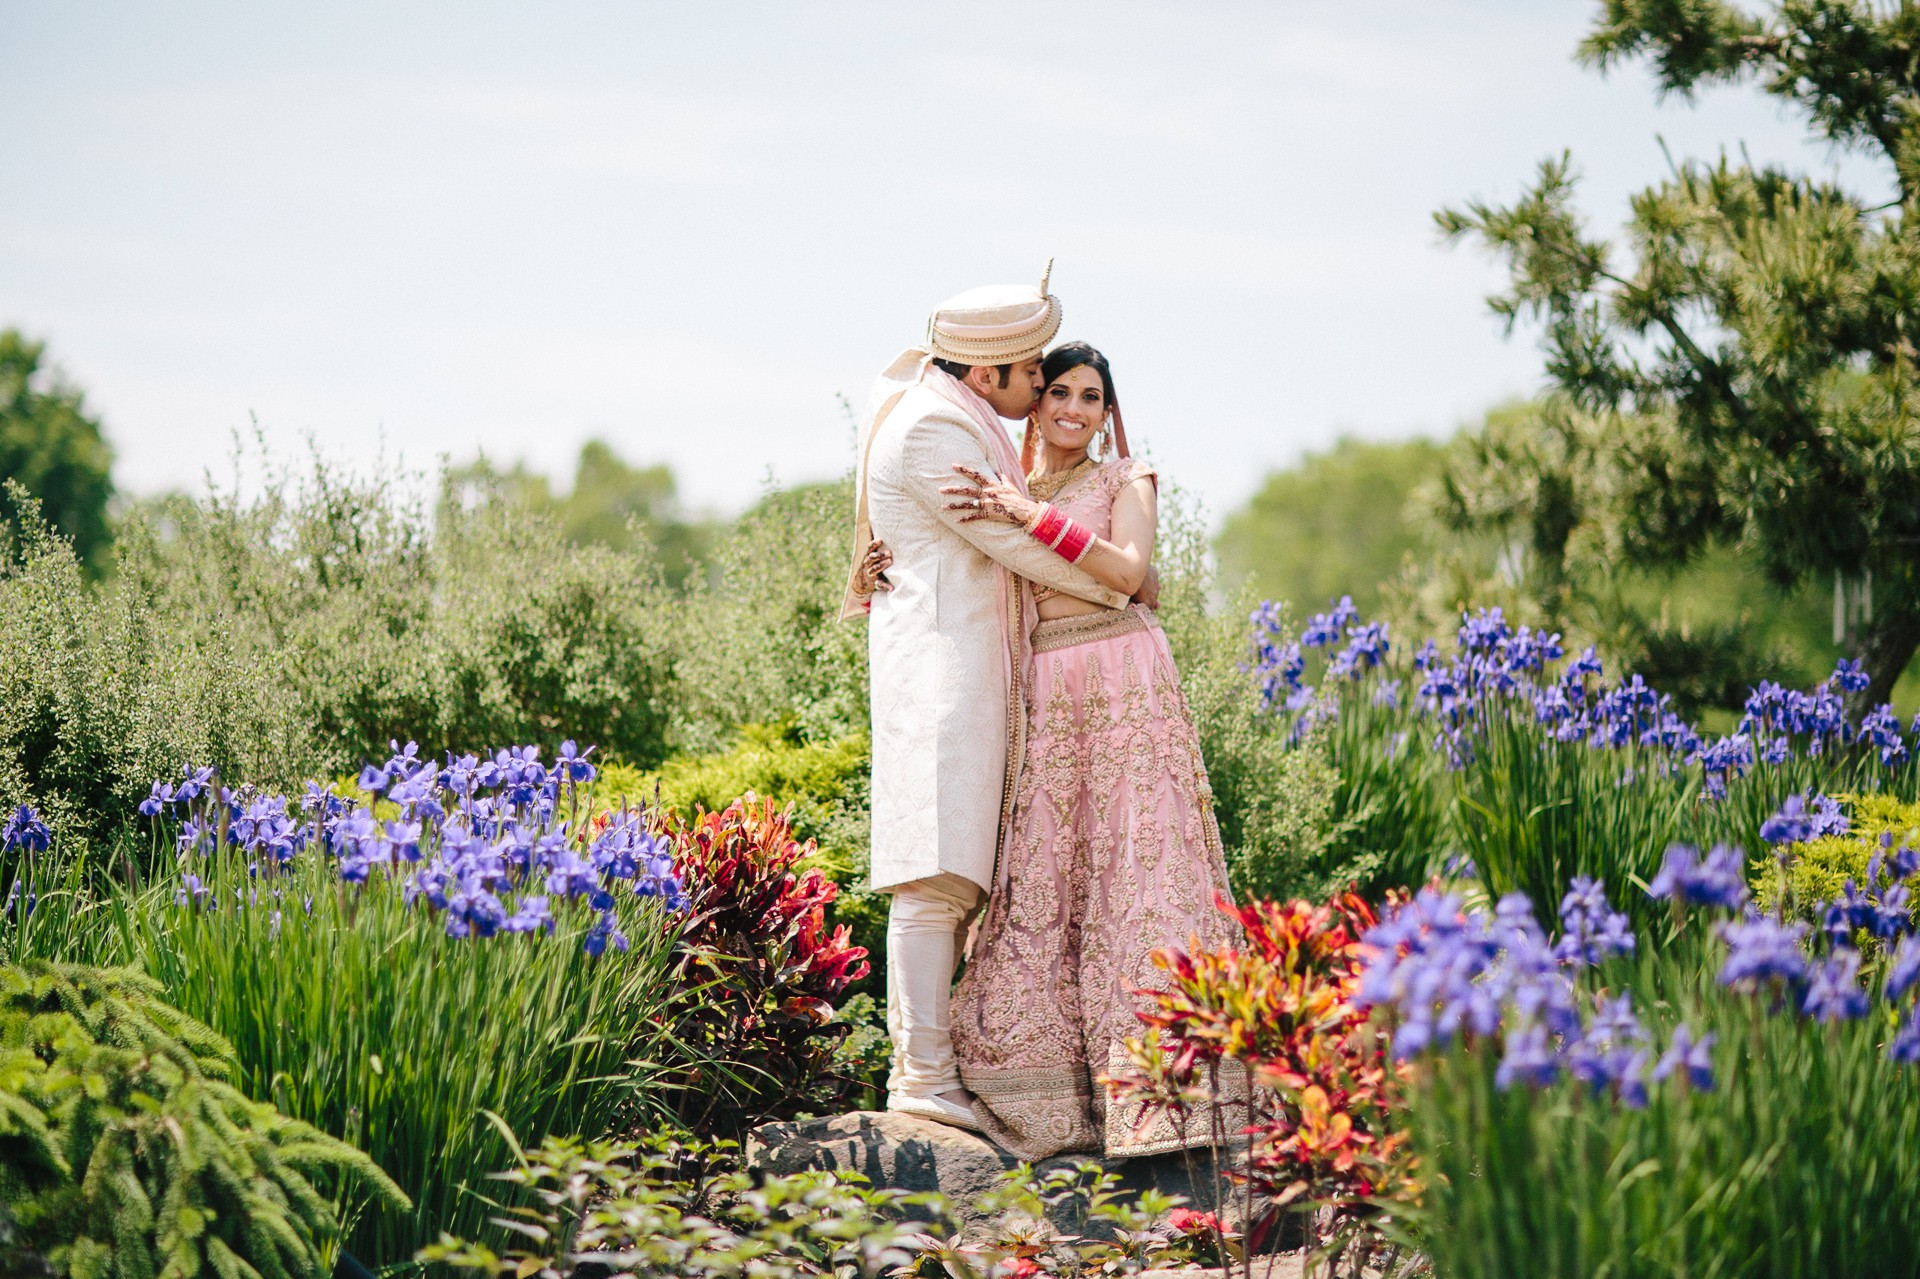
757, 971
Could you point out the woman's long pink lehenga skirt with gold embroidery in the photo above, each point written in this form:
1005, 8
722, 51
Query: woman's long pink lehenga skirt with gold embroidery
1115, 854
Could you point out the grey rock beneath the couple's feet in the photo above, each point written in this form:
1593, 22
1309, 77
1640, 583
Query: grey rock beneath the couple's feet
909, 1153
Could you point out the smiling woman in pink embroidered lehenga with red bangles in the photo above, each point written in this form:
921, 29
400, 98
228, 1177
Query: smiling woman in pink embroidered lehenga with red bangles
1113, 848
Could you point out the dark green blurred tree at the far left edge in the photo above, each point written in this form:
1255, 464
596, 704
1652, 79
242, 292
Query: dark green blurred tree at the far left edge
53, 448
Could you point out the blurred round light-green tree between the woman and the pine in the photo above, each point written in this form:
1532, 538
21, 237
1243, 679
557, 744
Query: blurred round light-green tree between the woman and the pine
1335, 525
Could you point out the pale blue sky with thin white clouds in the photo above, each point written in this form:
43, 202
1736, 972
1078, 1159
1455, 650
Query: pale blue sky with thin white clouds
686, 228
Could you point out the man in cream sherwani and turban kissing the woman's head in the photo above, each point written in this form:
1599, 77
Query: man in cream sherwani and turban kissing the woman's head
948, 646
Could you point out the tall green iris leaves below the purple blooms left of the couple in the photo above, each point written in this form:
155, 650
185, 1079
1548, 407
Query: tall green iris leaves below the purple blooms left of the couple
364, 1019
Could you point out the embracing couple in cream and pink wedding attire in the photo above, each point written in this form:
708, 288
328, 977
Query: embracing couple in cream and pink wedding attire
1036, 767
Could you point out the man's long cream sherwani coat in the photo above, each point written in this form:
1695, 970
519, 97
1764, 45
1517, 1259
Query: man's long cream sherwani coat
948, 644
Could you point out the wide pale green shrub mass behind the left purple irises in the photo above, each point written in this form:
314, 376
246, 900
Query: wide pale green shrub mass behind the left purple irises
300, 631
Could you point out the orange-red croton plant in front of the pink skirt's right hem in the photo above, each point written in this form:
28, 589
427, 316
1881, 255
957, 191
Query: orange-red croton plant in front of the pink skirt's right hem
1322, 1122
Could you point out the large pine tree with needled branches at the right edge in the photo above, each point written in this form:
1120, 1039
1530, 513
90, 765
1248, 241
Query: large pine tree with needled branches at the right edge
1740, 372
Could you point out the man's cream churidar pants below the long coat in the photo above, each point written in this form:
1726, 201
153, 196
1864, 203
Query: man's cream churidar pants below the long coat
926, 932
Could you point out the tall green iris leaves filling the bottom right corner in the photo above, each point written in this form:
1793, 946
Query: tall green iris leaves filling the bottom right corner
1796, 1157
